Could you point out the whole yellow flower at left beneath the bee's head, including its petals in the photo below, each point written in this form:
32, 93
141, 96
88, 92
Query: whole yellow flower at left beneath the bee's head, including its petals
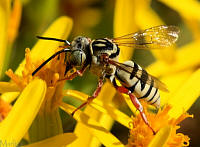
49, 95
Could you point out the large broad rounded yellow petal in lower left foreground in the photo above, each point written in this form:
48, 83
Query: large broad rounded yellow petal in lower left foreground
16, 124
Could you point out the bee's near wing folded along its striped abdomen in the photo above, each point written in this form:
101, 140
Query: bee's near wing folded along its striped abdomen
141, 74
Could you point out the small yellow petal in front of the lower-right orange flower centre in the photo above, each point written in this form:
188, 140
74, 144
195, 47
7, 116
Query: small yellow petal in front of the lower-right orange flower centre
161, 137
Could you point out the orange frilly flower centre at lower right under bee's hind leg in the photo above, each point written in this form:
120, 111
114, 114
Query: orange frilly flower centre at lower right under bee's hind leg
141, 135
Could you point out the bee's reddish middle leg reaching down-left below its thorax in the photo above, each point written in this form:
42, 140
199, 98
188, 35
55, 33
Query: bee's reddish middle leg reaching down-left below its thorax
90, 99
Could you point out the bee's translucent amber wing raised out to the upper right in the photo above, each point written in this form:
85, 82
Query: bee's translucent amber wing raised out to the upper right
152, 38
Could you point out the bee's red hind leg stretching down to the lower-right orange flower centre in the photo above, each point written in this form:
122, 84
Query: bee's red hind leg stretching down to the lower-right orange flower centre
136, 103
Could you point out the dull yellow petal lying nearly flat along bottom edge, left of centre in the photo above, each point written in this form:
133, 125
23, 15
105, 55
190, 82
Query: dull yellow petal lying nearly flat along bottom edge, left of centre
58, 140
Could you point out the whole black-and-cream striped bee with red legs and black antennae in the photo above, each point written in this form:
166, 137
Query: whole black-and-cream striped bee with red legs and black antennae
100, 56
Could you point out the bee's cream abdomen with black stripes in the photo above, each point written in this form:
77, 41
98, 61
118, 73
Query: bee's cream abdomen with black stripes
138, 81
